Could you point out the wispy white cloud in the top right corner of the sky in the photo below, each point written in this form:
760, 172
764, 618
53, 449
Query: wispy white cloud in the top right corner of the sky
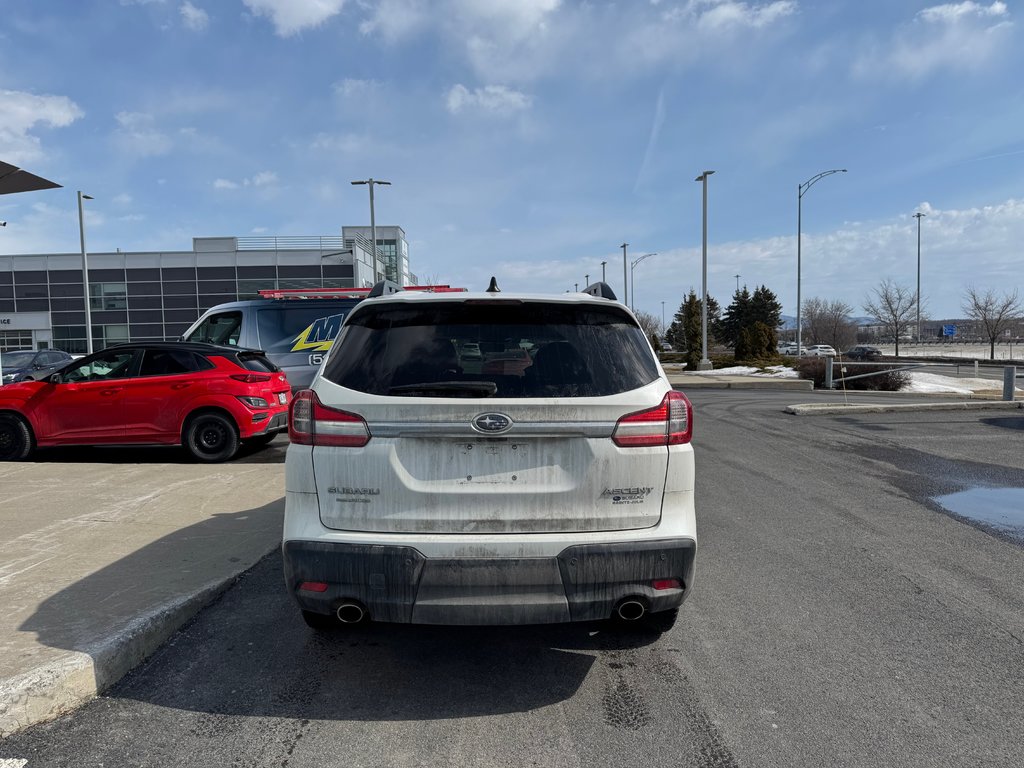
956, 36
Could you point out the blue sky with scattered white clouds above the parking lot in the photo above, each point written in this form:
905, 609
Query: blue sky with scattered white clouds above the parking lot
529, 139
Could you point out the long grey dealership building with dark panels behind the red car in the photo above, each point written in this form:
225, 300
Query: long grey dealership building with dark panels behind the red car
146, 296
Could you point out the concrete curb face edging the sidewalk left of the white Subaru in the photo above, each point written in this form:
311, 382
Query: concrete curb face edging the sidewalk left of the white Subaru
61, 687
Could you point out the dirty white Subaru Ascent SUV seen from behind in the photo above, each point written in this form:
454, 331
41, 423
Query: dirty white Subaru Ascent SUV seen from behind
544, 477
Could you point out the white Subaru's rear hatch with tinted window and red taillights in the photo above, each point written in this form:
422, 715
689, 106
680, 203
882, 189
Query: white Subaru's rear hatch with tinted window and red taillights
562, 423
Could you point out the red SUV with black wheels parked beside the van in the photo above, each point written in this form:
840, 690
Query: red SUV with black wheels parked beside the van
206, 398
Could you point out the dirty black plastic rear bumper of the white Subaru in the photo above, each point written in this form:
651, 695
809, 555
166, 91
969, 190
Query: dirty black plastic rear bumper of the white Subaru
400, 584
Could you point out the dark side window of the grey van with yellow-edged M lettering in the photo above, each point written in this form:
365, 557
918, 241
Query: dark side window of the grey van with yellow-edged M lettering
301, 327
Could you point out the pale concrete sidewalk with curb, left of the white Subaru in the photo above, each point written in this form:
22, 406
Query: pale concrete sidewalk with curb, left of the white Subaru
101, 564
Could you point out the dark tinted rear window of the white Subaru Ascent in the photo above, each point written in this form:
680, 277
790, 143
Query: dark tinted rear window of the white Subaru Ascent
507, 350
